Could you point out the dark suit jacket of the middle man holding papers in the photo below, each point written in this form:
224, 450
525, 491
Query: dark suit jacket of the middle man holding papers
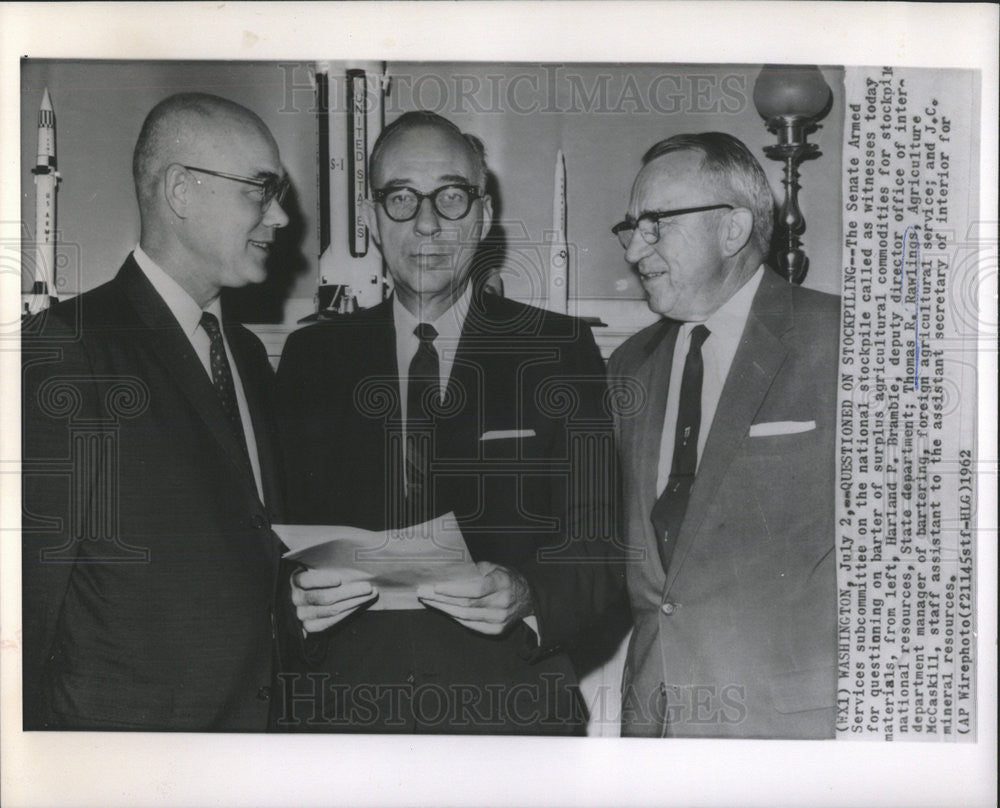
541, 504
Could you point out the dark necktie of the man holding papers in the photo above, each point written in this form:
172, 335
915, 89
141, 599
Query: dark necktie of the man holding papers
422, 396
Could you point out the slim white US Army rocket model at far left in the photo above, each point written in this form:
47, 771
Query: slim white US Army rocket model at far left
46, 178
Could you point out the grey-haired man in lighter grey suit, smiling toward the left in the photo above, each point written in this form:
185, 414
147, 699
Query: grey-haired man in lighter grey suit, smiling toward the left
728, 469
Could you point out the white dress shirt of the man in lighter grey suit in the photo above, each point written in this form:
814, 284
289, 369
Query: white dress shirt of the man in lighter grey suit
725, 330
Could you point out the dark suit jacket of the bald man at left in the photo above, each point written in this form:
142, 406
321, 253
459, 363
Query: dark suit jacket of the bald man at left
149, 564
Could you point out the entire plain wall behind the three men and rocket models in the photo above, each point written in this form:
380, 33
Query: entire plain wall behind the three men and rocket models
603, 117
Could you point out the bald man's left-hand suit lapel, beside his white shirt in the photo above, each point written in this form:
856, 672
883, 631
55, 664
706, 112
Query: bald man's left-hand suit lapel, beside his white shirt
166, 339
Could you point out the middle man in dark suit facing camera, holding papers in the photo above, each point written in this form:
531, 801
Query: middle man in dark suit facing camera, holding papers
442, 400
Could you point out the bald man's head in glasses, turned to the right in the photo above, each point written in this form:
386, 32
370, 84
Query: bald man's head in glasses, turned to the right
203, 168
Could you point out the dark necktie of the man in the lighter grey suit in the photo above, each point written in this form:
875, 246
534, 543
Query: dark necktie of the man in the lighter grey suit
668, 512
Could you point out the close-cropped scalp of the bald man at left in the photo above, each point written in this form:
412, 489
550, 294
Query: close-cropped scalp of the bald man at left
187, 128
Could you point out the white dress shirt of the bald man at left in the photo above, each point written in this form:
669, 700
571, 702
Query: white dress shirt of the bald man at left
188, 316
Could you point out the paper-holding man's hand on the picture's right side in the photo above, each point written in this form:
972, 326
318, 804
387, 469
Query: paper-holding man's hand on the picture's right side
489, 605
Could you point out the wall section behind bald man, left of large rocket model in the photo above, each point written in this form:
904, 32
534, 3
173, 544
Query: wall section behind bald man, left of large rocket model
99, 108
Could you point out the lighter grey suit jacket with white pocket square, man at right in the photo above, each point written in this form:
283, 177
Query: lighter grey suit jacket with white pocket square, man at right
738, 638
